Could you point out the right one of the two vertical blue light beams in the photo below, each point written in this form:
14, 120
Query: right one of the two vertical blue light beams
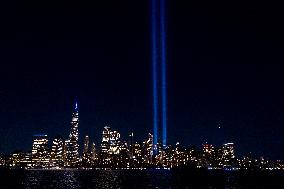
164, 71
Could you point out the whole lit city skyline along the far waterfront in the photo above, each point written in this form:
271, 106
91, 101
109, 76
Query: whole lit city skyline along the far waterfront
114, 152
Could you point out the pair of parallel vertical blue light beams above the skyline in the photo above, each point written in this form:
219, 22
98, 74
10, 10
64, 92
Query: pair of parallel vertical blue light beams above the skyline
159, 70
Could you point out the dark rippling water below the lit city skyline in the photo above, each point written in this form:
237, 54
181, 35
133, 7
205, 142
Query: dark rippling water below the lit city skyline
136, 179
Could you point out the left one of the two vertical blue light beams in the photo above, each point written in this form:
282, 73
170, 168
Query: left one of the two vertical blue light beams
154, 72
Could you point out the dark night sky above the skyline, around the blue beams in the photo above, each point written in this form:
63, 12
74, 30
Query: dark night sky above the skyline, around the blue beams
225, 69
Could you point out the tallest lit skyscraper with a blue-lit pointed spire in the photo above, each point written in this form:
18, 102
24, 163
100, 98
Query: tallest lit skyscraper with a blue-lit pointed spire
71, 144
